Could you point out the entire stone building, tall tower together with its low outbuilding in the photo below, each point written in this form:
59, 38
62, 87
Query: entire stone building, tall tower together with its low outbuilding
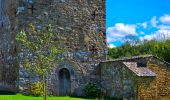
80, 26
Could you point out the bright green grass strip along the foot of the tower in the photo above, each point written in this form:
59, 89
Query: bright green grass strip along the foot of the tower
22, 97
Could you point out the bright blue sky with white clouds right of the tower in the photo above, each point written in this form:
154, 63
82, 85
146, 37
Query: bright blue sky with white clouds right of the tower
141, 19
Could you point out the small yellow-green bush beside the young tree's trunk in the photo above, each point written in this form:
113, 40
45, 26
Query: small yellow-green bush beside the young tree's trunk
37, 88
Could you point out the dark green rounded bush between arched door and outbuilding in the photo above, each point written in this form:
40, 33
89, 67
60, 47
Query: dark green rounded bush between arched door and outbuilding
91, 90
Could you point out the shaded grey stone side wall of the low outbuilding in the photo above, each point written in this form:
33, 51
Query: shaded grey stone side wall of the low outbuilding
117, 80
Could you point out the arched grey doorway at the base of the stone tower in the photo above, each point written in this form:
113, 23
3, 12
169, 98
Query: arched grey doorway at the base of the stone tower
64, 82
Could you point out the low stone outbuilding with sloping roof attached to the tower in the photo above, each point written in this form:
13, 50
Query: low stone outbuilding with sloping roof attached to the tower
139, 78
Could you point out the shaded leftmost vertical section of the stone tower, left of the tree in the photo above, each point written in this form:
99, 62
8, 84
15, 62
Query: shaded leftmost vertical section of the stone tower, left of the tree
8, 50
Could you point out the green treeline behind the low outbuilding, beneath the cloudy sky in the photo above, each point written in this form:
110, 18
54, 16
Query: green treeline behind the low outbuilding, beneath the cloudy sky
159, 49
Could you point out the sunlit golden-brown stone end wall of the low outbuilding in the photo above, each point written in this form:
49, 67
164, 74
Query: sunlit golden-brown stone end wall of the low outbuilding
157, 88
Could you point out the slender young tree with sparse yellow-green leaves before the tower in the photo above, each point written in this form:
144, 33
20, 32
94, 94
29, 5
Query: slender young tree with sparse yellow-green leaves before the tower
42, 51
